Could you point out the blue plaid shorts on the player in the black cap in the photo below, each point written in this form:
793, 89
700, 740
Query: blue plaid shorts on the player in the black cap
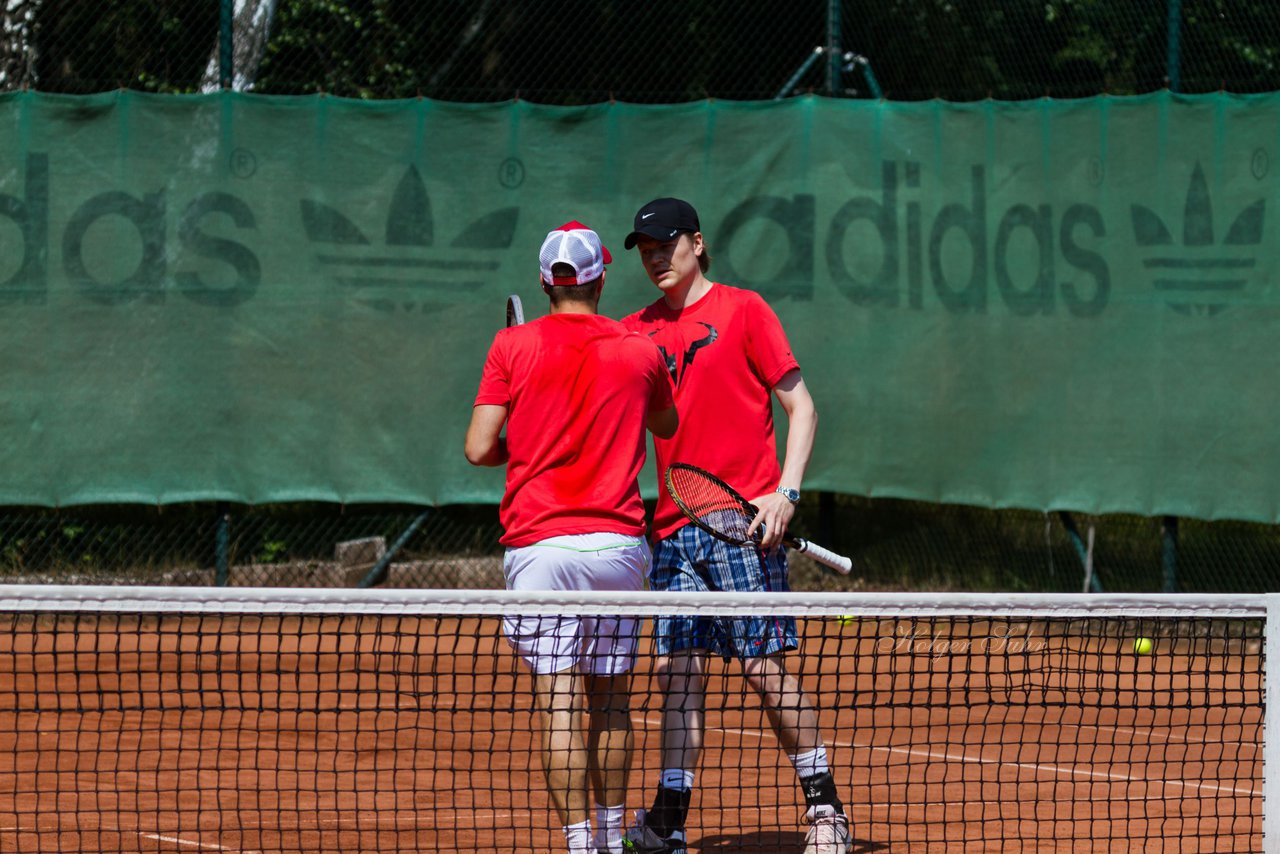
692, 560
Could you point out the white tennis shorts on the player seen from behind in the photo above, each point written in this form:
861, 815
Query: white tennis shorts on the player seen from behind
598, 646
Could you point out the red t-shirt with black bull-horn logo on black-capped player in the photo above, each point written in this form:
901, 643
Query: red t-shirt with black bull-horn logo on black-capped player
725, 353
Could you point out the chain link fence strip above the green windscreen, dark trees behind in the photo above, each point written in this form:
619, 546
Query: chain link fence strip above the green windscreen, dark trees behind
577, 52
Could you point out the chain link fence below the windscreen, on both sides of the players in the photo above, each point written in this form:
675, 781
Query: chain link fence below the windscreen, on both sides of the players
895, 545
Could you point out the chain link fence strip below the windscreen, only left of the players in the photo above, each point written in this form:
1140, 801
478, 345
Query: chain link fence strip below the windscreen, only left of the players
266, 546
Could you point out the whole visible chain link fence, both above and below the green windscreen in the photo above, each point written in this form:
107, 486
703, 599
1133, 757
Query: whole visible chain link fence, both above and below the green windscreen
578, 52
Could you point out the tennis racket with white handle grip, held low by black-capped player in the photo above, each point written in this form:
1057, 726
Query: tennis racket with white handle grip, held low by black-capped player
721, 512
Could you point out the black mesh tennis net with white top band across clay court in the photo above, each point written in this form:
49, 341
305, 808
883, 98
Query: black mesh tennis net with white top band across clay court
244, 720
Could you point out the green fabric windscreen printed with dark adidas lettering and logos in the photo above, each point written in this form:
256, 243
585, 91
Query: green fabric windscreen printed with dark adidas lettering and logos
1044, 304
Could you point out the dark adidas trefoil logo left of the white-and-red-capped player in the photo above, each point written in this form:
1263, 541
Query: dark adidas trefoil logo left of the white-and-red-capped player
406, 270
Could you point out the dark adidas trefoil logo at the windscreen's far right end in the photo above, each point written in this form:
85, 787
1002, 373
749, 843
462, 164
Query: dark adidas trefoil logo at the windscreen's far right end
1200, 277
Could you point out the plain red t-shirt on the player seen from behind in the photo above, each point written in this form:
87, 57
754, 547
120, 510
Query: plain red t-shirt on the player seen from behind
578, 390
